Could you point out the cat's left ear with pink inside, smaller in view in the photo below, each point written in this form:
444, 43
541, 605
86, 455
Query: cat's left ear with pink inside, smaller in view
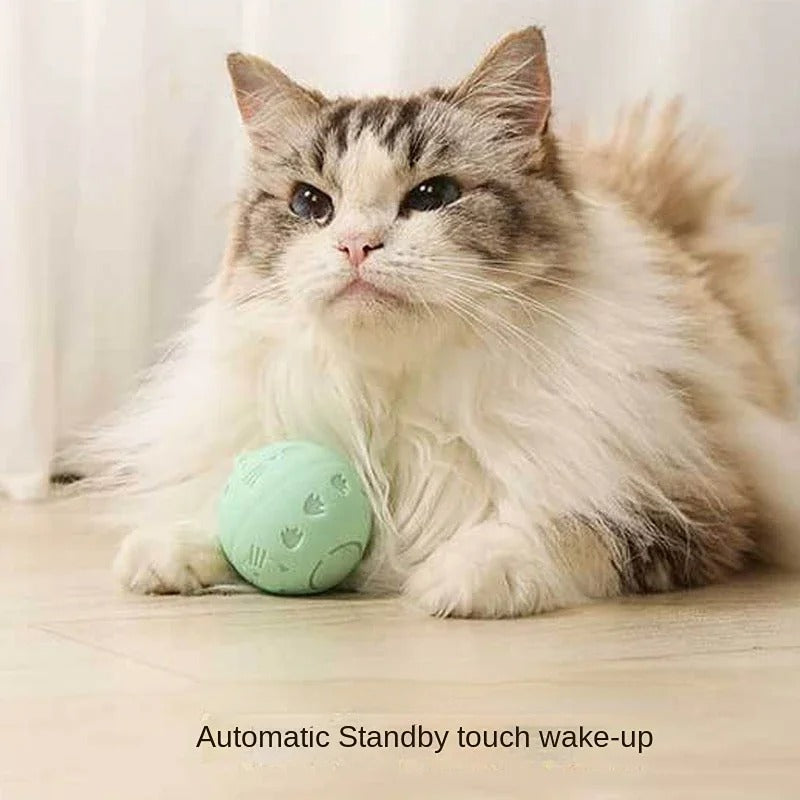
269, 101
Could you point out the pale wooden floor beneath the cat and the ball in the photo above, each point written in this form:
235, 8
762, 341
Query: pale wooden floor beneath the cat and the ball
105, 695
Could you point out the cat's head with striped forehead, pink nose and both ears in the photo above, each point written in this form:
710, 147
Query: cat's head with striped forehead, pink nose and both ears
382, 213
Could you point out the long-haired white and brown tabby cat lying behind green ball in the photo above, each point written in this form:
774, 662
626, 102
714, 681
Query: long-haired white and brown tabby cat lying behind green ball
560, 366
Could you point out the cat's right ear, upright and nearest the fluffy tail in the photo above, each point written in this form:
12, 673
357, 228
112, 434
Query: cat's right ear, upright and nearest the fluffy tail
512, 82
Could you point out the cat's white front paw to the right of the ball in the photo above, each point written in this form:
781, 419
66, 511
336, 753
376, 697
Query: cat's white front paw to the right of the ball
486, 571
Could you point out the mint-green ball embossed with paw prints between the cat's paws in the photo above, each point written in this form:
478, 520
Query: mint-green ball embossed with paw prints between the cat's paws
294, 518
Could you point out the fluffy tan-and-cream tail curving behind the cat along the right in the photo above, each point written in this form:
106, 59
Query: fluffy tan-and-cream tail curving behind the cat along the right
669, 174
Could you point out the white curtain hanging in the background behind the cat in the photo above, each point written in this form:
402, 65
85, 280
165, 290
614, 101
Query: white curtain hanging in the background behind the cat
120, 148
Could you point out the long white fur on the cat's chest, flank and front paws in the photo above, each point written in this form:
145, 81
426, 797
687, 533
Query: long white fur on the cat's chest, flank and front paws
470, 446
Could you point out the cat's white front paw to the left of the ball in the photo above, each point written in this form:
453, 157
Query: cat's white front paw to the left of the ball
179, 560
